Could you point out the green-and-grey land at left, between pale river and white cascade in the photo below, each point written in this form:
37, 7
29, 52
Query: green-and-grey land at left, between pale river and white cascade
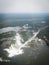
7, 42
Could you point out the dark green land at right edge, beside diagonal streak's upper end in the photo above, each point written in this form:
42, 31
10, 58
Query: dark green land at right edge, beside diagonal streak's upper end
44, 34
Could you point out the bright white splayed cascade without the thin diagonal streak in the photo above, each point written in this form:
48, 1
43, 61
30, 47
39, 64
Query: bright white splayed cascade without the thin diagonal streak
14, 48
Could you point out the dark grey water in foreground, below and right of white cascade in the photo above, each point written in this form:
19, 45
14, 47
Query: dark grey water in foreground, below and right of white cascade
31, 56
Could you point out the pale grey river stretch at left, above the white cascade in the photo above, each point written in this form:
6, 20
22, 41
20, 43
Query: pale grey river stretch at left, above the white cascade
8, 29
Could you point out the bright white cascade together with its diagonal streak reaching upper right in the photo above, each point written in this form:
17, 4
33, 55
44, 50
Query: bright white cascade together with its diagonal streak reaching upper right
16, 49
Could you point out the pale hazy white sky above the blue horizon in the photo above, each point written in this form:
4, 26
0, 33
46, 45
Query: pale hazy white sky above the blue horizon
24, 6
